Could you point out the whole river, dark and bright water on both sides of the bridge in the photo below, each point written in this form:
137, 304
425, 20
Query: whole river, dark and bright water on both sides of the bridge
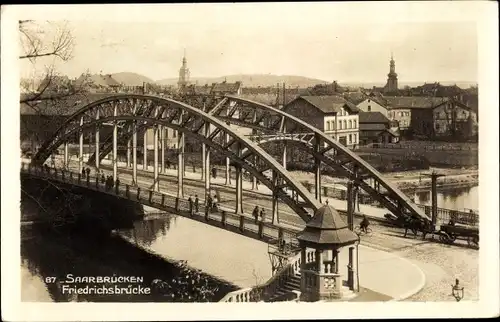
228, 261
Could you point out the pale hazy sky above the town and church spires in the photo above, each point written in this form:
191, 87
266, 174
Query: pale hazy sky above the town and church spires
328, 41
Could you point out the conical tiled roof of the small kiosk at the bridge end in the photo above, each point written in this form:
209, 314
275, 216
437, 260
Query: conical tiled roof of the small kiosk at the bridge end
328, 229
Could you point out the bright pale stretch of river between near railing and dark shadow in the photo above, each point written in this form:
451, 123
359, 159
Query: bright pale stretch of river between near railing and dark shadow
231, 257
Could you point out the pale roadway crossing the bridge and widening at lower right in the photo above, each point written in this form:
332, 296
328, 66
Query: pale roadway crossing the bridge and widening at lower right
440, 263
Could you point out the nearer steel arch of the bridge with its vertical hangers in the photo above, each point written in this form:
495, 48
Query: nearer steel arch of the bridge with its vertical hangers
132, 112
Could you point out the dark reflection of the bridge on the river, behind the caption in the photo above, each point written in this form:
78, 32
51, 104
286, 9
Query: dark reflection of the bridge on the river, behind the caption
46, 253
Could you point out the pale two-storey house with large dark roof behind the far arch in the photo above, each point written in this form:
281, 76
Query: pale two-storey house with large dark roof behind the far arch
331, 114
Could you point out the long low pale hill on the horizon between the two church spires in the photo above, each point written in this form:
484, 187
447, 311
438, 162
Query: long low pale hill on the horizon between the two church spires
250, 80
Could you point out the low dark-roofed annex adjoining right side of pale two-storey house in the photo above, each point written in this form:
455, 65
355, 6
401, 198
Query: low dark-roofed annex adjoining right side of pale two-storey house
375, 127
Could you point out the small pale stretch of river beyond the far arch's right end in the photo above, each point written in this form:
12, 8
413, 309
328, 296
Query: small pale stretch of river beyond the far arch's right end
461, 198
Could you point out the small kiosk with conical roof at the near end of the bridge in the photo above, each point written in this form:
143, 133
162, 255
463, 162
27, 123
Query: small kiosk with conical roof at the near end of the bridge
320, 243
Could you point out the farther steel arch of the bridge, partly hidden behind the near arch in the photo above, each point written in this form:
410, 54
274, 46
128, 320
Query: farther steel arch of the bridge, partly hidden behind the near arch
271, 124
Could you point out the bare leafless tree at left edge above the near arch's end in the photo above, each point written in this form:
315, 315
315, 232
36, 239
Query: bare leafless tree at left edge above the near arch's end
46, 43
